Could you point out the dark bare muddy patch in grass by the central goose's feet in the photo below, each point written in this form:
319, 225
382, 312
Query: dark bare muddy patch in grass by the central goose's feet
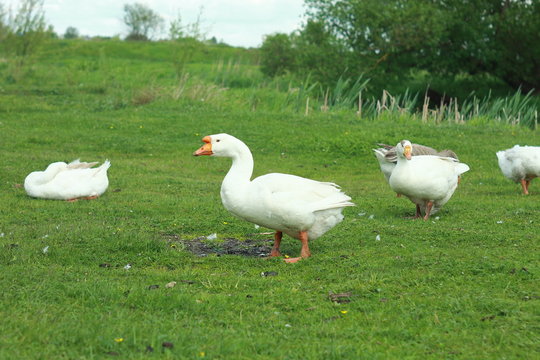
202, 246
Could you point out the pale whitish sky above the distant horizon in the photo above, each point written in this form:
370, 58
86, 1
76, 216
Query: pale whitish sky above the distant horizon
236, 22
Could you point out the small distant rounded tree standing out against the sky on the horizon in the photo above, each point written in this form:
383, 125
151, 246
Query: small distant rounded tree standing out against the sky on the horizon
141, 21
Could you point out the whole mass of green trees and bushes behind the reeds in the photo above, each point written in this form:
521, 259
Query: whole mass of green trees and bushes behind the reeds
454, 47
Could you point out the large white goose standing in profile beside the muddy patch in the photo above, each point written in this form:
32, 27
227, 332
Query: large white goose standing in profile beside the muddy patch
301, 208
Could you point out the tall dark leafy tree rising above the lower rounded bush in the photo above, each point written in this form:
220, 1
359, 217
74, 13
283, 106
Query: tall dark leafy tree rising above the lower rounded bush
443, 37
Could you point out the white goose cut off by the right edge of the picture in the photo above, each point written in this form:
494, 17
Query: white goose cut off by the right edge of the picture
520, 164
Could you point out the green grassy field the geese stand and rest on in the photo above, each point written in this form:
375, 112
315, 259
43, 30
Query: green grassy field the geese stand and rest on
463, 285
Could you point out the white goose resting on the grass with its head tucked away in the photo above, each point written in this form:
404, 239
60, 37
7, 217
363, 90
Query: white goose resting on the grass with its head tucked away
61, 181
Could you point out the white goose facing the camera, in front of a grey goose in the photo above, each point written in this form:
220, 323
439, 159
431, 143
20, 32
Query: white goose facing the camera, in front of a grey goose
428, 181
